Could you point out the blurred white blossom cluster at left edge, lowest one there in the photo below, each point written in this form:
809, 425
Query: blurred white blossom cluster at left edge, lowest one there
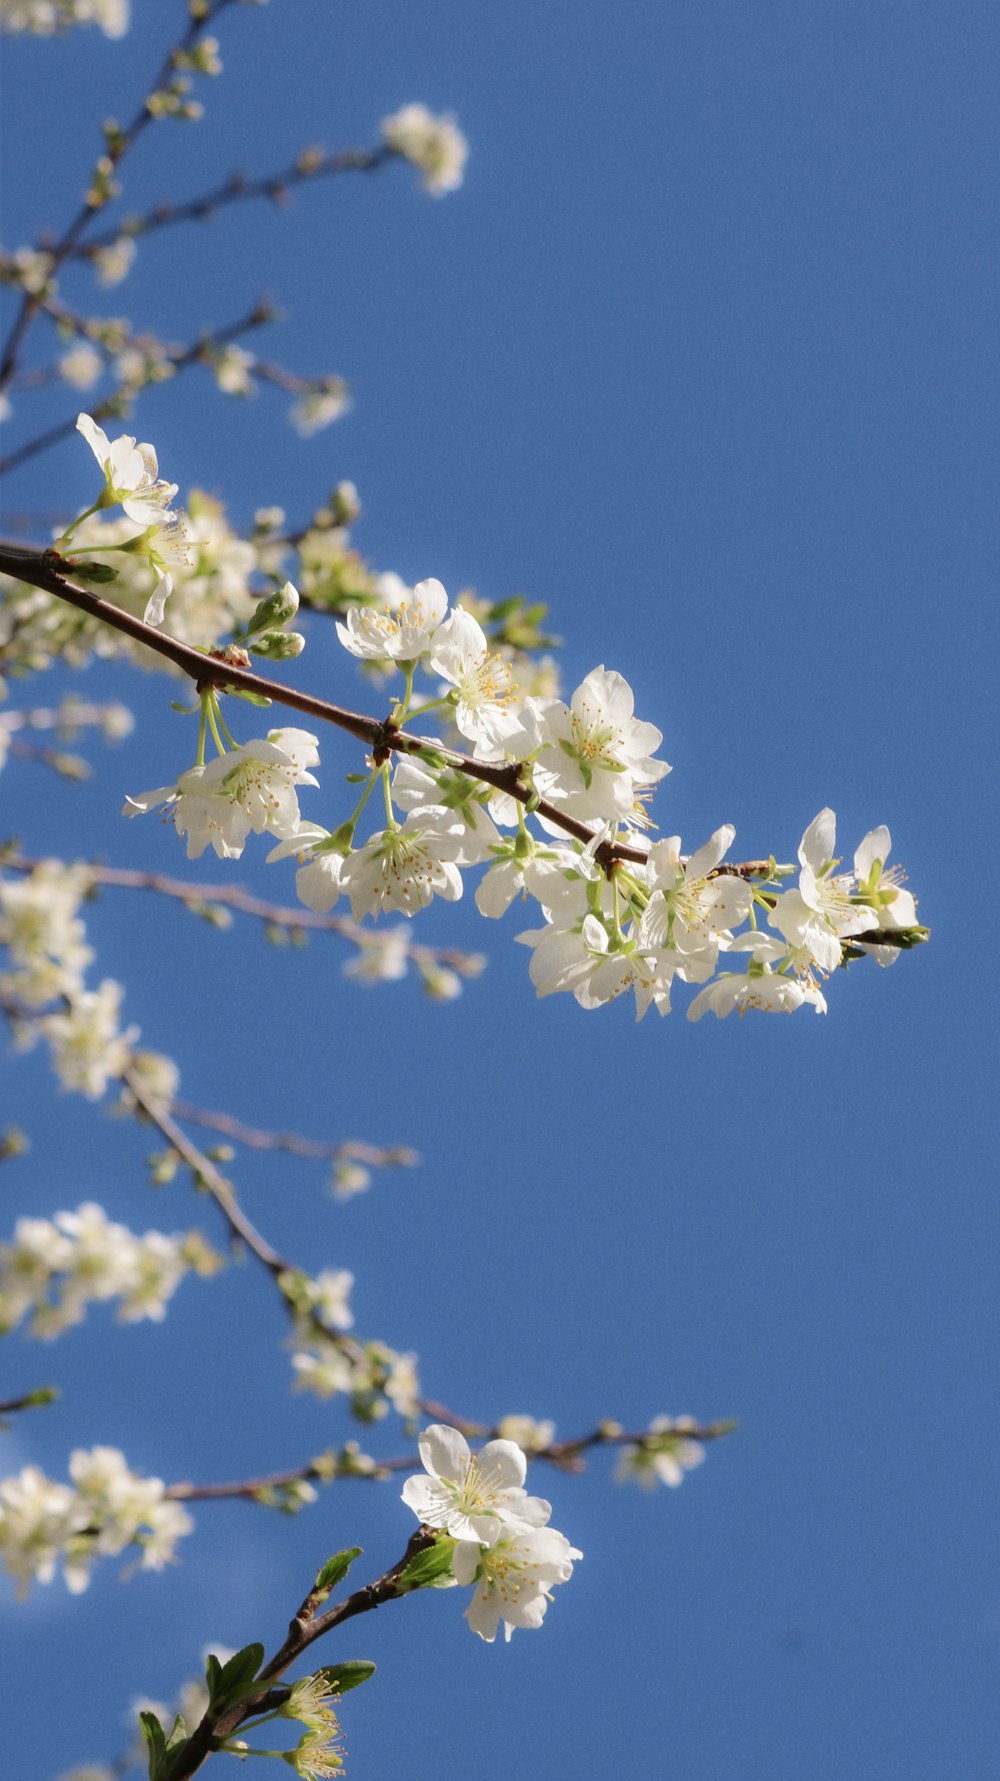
101, 1513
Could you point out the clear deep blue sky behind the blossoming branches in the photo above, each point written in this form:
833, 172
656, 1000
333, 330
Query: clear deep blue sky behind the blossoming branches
705, 357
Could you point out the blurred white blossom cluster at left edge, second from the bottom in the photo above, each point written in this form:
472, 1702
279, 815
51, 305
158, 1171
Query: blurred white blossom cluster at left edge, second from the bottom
54, 1269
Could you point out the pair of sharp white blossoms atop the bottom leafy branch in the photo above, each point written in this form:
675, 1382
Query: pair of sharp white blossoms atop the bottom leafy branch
504, 1543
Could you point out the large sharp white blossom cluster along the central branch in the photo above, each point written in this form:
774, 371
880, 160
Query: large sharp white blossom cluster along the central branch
630, 927
